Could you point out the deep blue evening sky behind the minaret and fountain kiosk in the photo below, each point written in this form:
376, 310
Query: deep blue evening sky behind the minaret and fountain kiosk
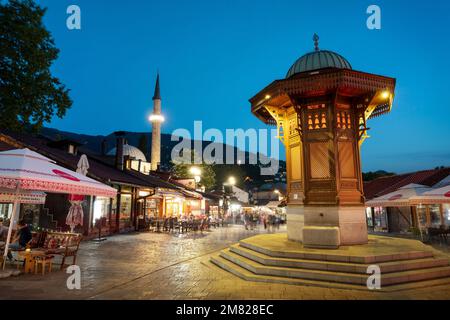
214, 55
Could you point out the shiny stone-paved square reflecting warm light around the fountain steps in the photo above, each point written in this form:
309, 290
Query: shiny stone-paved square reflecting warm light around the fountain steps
163, 266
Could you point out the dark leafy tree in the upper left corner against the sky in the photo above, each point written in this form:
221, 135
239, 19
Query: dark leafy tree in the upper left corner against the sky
29, 94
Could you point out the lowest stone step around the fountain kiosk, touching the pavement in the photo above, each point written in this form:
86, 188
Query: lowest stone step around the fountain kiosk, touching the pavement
245, 274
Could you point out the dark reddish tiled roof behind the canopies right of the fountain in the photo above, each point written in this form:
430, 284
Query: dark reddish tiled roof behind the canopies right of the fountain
385, 185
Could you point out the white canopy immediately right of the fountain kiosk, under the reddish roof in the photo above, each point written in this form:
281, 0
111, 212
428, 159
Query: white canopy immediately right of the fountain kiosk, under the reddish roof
399, 198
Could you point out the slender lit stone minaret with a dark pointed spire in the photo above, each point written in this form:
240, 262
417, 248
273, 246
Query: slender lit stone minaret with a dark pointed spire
156, 119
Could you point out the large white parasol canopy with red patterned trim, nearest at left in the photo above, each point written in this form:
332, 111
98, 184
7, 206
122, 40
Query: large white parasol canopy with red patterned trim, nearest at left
32, 171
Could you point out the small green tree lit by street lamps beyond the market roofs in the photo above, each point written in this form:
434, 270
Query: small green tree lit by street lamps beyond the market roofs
182, 170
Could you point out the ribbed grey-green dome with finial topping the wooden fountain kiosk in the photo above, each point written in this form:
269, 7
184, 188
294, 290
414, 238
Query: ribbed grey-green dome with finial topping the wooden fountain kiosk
318, 59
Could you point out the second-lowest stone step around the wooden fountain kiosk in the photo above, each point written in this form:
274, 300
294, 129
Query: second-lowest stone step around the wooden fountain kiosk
331, 276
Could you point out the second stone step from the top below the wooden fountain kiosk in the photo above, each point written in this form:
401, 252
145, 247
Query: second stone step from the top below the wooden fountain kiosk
386, 267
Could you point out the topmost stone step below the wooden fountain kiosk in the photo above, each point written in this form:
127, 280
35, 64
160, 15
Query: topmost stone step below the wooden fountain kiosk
311, 254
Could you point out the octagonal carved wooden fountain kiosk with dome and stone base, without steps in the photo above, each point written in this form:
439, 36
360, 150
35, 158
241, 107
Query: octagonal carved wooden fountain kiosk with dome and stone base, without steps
321, 110
